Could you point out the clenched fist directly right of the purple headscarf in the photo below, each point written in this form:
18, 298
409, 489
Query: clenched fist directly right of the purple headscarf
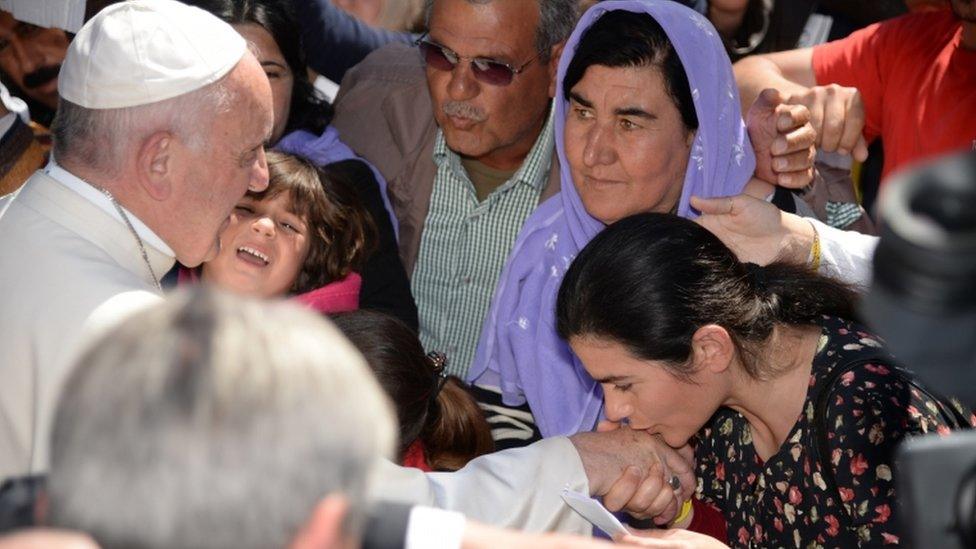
783, 139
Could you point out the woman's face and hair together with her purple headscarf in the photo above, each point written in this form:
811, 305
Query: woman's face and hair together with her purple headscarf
647, 116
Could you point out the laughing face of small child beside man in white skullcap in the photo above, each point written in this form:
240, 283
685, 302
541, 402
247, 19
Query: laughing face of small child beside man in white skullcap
261, 250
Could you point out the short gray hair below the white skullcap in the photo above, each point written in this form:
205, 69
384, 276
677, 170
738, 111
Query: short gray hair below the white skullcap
100, 138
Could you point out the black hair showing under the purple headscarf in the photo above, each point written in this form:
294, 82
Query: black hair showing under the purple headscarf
626, 39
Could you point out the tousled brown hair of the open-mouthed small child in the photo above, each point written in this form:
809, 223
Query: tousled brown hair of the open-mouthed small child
341, 232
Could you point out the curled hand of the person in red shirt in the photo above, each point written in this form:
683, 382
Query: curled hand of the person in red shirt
837, 115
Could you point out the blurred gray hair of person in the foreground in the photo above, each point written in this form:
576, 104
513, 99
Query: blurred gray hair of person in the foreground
213, 422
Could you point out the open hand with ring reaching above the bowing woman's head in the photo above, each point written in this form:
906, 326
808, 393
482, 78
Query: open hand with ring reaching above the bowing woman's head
755, 230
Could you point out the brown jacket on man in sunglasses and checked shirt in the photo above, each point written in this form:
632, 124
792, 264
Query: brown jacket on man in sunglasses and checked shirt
384, 112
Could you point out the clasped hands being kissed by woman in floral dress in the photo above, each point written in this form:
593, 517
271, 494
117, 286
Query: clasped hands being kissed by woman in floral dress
635, 477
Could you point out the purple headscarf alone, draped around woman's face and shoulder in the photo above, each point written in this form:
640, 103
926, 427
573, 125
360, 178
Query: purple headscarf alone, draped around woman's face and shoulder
520, 351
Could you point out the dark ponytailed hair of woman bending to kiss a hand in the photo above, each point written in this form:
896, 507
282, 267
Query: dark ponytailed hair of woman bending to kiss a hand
651, 280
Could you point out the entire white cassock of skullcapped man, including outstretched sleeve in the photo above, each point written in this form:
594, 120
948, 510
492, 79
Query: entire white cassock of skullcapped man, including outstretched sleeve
71, 267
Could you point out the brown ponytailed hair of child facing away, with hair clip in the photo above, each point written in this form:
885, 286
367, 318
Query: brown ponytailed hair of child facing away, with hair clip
445, 418
